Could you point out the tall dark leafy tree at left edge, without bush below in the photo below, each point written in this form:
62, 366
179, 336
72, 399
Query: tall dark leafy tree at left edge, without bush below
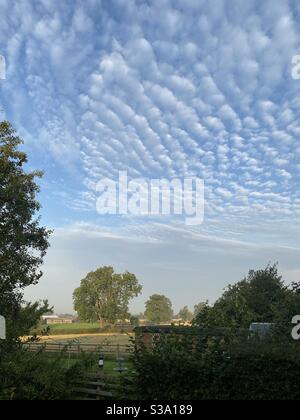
23, 242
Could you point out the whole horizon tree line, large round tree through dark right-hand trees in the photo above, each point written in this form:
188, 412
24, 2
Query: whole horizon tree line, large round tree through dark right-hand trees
261, 297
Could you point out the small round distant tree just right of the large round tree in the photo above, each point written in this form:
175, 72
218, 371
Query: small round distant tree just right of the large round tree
158, 309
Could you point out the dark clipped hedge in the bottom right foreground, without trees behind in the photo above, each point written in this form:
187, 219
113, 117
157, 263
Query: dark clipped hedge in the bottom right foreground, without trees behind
226, 367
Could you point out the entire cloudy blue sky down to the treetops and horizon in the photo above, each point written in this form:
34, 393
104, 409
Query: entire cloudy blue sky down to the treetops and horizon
160, 89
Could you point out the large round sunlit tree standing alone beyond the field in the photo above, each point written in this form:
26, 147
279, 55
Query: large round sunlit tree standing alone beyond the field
104, 295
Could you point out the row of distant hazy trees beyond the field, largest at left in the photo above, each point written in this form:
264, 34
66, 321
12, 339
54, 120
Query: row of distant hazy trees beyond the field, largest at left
104, 296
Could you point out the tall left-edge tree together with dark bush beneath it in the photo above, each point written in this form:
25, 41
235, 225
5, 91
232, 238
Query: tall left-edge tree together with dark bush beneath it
23, 245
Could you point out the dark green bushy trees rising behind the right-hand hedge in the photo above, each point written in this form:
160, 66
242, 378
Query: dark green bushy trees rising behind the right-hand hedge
260, 297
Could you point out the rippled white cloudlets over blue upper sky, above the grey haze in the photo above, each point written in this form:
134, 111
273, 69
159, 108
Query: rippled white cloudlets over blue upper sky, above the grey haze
161, 89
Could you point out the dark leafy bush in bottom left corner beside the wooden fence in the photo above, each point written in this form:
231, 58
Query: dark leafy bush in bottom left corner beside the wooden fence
30, 376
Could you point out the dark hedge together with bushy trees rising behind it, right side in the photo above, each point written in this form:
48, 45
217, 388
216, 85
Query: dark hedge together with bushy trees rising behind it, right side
219, 359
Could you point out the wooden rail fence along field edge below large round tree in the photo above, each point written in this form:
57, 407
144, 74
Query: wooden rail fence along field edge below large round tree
75, 349
